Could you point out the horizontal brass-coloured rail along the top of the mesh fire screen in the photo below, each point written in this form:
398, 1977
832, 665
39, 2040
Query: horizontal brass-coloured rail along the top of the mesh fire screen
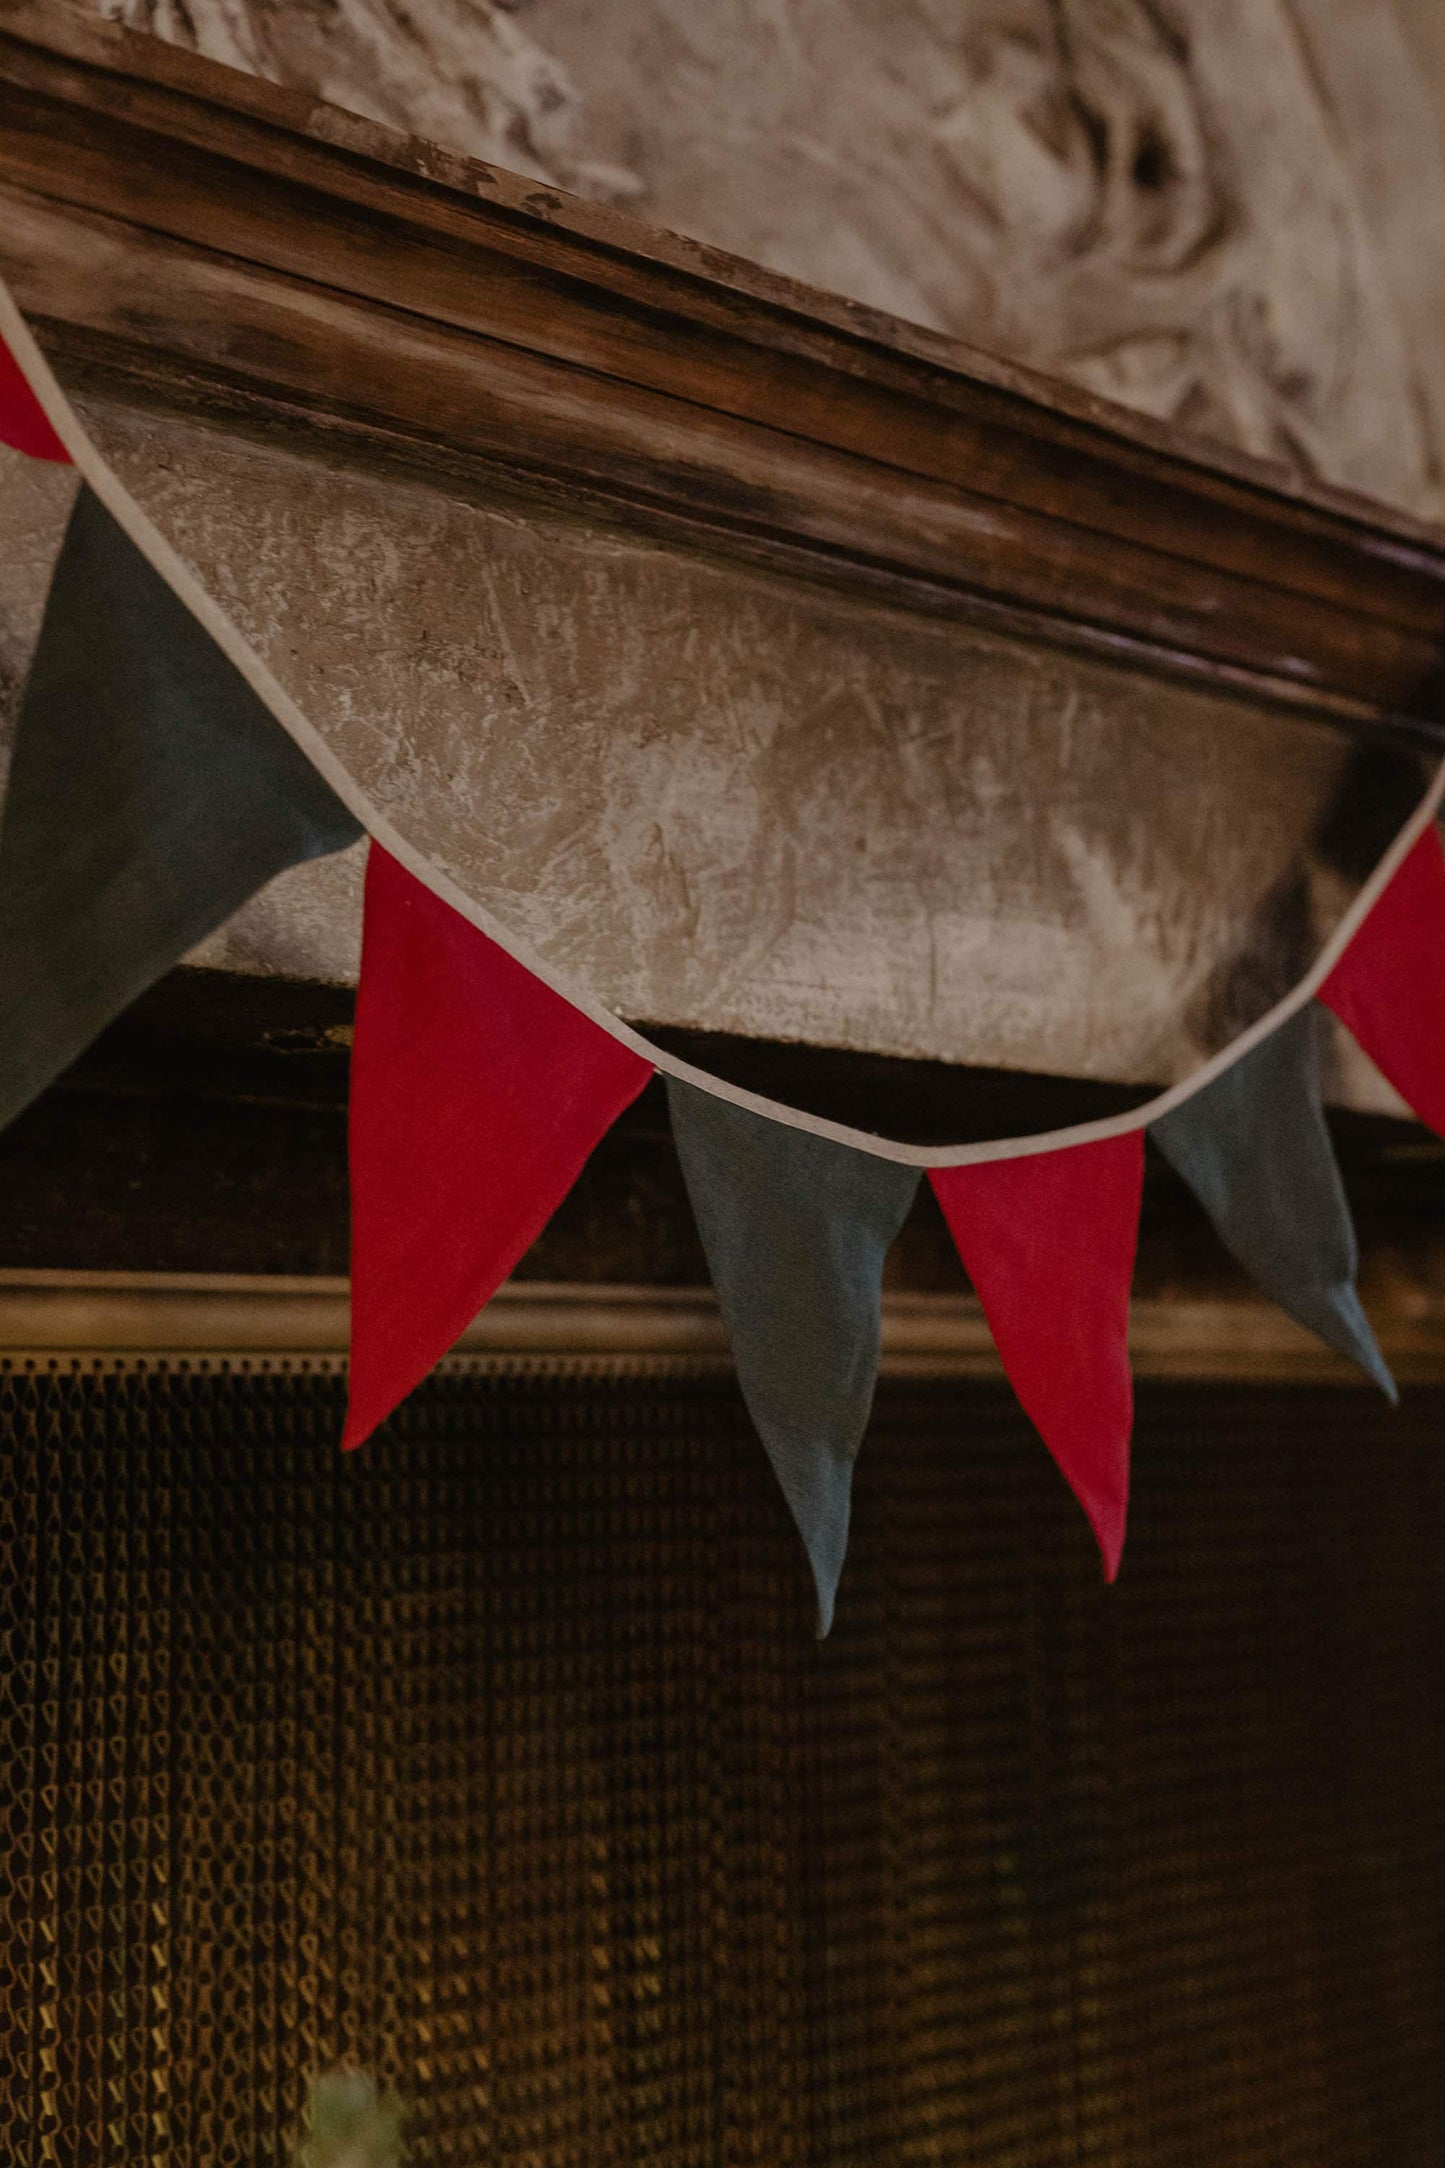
255, 1319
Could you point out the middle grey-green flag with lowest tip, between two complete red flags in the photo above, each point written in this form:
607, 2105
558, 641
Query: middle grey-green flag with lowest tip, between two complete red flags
796, 1230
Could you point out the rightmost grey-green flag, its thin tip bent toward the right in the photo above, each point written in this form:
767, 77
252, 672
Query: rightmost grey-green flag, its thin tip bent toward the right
1258, 1154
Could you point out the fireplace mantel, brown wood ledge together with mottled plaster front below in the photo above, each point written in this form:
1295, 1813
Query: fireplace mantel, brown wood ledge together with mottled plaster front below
952, 688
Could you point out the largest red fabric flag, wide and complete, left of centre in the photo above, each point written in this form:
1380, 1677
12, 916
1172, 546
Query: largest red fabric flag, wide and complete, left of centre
478, 1094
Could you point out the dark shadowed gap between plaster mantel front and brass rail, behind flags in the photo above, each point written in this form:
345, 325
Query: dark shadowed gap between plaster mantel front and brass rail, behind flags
207, 1133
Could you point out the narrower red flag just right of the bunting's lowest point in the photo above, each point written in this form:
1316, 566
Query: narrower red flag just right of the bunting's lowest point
1047, 1243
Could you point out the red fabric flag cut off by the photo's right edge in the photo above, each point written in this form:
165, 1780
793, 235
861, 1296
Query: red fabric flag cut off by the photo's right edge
1390, 985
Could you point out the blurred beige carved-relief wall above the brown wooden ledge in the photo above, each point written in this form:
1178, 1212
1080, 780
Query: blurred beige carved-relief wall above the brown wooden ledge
1219, 211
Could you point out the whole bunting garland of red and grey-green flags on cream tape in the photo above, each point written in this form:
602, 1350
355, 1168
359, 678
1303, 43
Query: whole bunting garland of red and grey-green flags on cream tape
161, 777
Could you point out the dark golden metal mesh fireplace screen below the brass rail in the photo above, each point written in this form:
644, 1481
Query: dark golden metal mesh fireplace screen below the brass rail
502, 1759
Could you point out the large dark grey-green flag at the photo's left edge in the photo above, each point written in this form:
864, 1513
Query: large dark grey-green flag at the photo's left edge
151, 795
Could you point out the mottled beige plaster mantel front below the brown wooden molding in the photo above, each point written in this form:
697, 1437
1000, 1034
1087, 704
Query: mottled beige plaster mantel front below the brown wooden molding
738, 803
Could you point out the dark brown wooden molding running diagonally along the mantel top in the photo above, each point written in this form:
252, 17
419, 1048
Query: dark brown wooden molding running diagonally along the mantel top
237, 244
